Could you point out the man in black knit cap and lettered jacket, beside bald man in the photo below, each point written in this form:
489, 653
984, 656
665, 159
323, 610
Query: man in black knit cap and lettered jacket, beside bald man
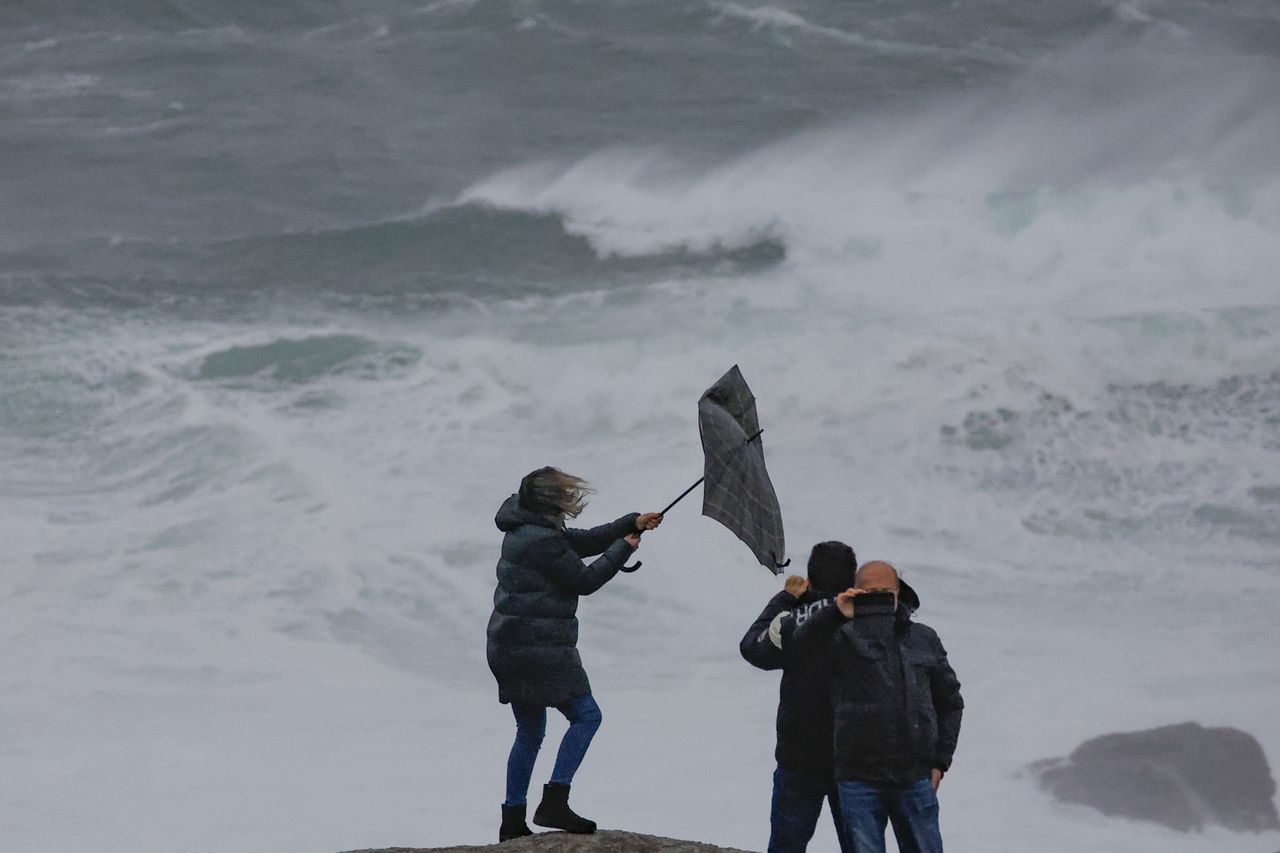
804, 777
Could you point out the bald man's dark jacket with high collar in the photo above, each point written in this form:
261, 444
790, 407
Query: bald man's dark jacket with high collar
895, 697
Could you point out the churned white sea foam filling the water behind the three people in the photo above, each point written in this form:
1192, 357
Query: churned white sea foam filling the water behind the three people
291, 576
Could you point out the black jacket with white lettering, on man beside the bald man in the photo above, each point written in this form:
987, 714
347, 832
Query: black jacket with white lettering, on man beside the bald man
804, 699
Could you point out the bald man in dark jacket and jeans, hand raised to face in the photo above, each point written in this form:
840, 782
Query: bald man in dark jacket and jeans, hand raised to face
898, 713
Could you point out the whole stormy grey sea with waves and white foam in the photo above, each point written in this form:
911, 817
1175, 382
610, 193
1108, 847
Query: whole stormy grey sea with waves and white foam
292, 294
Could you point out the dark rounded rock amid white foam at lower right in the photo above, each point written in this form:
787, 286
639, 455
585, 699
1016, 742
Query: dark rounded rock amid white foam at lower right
1183, 777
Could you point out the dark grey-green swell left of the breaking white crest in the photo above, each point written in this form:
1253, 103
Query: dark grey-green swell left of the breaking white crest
456, 254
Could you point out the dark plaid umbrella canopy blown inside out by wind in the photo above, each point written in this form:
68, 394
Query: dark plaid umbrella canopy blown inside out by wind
738, 491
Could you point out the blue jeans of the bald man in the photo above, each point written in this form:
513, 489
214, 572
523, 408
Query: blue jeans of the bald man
913, 811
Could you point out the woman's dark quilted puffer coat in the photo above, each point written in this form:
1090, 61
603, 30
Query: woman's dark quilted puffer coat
533, 632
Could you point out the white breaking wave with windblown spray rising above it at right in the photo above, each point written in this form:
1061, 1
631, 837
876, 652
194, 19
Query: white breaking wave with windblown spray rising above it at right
1030, 197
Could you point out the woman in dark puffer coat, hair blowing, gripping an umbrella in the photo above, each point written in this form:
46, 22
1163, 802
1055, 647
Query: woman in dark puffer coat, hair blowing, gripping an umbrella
533, 633
